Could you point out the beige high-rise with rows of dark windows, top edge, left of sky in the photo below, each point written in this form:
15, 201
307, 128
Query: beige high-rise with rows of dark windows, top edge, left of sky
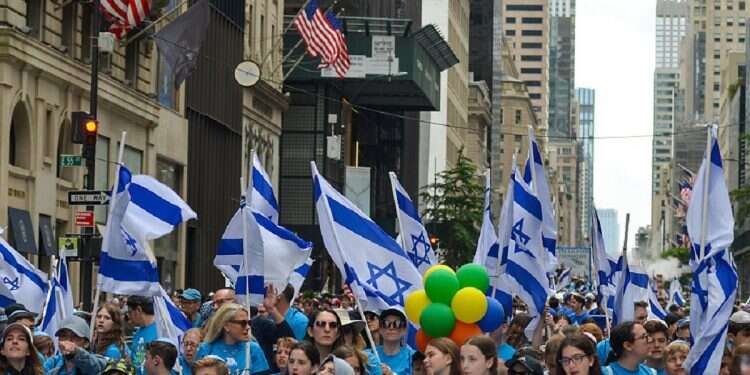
526, 27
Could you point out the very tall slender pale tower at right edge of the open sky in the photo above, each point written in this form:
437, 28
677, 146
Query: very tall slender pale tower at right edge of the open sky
671, 27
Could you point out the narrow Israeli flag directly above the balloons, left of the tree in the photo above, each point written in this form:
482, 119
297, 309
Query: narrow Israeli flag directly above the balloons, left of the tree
414, 237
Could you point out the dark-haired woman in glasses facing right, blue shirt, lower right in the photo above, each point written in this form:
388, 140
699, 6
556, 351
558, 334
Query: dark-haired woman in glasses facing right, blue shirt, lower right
630, 347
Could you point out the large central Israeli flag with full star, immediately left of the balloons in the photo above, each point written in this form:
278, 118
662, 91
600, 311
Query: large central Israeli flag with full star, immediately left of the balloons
378, 271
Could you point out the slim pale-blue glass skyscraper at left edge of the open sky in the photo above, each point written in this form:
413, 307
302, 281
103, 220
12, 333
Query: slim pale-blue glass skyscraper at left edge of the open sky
586, 104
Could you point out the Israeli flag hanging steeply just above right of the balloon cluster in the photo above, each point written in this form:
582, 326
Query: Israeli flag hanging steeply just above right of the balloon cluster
526, 255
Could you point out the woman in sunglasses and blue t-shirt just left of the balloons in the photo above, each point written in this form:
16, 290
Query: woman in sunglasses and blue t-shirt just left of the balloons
395, 357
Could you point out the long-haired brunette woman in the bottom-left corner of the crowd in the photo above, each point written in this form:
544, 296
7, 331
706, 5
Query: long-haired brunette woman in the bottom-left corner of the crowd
17, 354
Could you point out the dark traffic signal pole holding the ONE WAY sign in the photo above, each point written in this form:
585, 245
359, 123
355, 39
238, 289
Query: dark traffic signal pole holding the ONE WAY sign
87, 263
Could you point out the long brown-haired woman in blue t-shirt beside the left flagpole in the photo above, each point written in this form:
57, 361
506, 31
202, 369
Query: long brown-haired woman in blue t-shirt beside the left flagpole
108, 339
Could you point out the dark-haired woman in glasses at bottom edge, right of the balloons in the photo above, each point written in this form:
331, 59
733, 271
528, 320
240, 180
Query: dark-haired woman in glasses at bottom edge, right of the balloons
577, 356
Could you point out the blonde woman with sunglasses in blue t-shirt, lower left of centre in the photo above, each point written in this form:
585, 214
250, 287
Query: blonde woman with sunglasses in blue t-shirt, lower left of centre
227, 336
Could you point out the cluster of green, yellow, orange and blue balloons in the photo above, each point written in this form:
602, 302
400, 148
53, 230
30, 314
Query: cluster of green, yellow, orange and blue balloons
453, 304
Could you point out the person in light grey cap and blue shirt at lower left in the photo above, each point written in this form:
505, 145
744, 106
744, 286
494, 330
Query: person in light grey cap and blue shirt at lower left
74, 359
